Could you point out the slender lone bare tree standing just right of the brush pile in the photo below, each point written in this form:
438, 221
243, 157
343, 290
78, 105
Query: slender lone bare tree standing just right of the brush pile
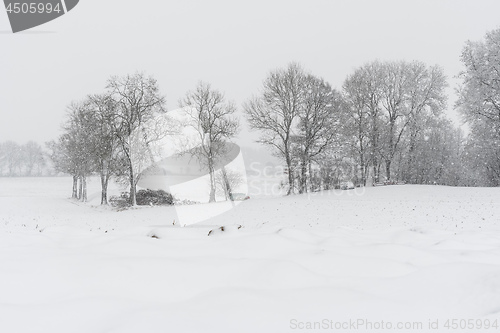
212, 117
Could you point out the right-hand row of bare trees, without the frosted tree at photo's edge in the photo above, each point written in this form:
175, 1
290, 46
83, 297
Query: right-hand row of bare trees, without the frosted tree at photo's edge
388, 114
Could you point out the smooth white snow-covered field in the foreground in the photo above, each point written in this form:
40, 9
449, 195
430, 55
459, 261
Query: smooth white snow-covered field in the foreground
403, 255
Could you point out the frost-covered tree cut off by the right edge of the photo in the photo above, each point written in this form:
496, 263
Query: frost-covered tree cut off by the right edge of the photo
479, 104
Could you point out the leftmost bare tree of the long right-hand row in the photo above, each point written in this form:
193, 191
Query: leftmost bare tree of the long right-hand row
275, 113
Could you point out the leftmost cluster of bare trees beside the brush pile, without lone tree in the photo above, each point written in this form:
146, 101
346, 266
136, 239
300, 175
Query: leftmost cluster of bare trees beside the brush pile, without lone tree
110, 134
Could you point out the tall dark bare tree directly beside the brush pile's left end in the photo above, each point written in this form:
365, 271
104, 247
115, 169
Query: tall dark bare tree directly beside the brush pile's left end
137, 101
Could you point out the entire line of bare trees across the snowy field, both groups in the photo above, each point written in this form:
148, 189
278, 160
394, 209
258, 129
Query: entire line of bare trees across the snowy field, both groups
385, 124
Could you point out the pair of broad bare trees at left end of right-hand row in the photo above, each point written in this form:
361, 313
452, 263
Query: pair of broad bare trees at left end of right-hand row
298, 116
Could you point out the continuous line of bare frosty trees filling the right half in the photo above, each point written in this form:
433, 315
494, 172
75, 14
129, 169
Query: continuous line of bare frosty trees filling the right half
385, 124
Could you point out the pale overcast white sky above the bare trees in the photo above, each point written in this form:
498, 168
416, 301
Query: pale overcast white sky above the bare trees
231, 44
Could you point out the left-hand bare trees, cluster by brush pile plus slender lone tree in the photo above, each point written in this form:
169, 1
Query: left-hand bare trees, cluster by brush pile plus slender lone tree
117, 133
